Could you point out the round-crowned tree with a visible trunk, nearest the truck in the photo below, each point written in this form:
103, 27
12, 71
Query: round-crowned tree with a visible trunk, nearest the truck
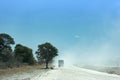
46, 52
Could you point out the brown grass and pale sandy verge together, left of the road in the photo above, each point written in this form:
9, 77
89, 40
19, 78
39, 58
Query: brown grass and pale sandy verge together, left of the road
22, 73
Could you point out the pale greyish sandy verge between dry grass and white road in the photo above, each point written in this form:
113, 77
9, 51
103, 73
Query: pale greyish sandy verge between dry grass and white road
28, 75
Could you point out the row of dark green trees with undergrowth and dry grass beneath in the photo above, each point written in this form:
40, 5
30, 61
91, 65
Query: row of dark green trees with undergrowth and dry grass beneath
22, 56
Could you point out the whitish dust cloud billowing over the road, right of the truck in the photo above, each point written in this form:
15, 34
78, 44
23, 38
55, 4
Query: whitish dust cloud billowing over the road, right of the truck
104, 52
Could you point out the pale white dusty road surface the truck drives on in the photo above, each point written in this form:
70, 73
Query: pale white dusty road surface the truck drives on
76, 73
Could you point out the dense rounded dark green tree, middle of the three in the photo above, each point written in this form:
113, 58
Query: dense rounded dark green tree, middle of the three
24, 54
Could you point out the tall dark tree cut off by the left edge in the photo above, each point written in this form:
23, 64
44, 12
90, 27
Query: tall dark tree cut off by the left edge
5, 48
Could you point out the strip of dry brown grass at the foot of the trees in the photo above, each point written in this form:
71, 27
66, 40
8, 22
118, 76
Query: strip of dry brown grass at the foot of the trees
20, 69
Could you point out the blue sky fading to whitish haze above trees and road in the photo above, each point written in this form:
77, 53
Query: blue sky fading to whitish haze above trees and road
82, 30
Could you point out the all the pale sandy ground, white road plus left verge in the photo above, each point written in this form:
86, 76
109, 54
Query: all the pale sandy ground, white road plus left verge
66, 73
